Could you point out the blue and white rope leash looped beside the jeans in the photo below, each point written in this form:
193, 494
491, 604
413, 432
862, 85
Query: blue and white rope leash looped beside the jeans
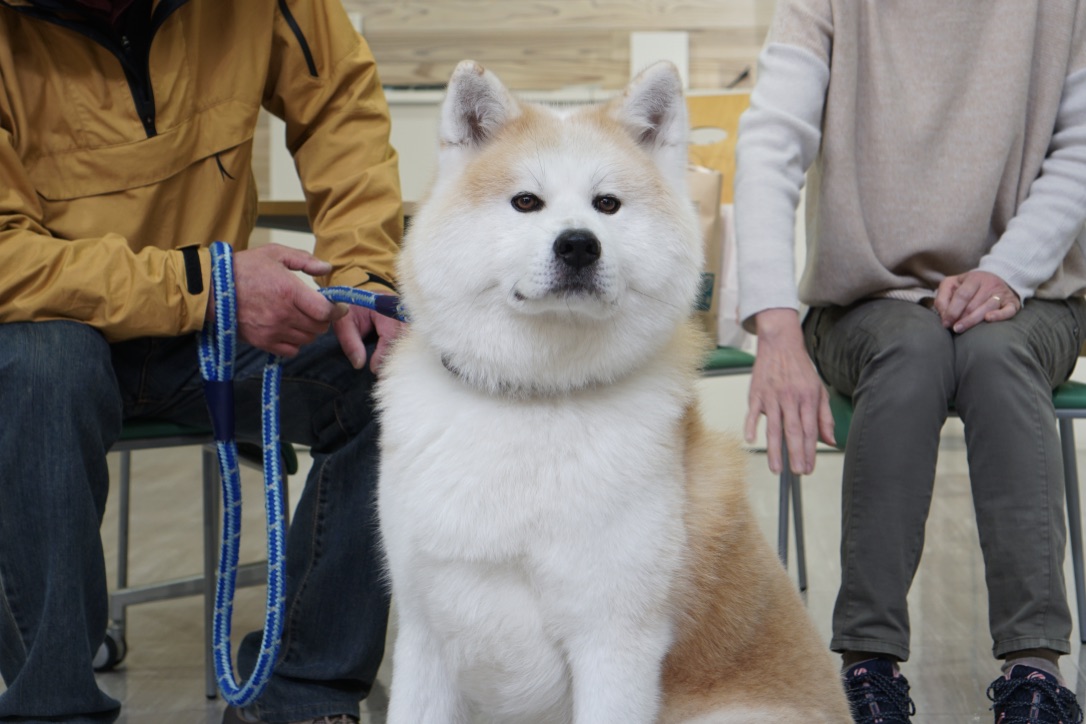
218, 349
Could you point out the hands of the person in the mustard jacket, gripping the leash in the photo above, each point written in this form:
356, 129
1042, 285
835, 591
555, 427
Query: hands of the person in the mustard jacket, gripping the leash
280, 313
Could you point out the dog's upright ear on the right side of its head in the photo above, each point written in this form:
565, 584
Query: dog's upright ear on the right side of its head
654, 112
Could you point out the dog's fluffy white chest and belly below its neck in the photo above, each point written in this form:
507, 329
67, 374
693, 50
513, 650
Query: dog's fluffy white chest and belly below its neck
547, 523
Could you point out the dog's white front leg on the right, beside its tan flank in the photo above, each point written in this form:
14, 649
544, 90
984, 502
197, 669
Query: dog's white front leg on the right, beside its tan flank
616, 671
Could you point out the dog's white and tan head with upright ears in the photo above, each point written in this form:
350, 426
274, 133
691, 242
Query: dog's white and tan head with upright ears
558, 249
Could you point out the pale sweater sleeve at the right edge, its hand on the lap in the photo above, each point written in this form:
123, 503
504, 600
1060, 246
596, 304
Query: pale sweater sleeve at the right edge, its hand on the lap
1051, 219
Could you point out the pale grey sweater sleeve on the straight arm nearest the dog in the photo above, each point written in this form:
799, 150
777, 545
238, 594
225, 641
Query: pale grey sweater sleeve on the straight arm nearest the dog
778, 142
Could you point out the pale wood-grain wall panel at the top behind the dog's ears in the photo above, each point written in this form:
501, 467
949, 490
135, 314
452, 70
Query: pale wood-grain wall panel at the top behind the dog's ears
557, 44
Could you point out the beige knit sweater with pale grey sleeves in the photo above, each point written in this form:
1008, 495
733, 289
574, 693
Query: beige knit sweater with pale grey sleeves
941, 136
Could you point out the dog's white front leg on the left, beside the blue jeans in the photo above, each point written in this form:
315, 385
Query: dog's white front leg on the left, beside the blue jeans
422, 691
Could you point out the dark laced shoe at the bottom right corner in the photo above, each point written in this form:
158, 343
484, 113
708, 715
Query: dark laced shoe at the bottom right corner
1027, 695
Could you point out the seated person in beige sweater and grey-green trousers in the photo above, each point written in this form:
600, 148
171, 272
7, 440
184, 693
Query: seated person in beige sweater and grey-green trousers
943, 146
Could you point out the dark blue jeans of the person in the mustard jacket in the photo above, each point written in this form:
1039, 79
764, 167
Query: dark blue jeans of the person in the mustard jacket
65, 393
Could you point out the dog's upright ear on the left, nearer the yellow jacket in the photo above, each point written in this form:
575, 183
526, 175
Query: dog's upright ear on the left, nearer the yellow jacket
476, 107
